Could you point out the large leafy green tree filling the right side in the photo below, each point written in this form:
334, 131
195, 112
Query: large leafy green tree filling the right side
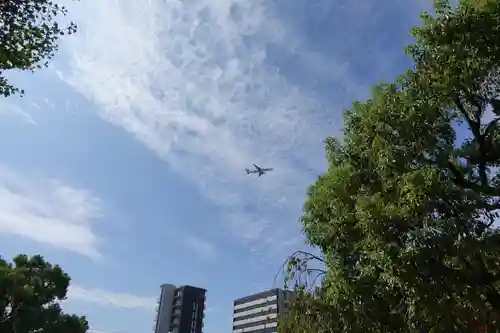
404, 215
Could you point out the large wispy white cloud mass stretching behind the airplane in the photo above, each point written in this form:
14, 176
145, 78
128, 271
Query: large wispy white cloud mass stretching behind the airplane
194, 82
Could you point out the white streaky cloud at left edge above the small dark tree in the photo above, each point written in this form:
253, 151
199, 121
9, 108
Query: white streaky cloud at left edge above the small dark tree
49, 212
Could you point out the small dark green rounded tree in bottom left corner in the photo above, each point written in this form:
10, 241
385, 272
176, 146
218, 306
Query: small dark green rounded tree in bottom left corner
30, 291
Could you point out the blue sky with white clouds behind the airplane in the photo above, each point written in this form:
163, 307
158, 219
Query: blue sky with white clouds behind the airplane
124, 162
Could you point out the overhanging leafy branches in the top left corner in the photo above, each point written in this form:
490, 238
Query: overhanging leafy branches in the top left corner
29, 35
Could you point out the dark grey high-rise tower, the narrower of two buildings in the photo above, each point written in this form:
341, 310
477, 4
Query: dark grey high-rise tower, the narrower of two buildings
180, 309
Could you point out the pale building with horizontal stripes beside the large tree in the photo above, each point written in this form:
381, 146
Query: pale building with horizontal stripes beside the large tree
259, 313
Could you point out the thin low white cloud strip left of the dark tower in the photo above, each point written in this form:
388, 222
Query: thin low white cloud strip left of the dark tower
110, 299
